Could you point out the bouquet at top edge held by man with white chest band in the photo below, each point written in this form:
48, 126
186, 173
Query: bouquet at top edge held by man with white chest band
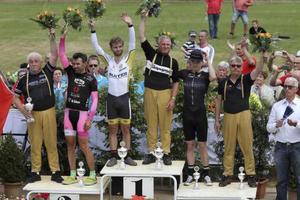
152, 7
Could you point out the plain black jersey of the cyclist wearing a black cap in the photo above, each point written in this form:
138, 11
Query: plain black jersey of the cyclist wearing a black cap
195, 88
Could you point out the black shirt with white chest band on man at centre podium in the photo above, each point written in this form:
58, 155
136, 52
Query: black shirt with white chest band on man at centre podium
160, 68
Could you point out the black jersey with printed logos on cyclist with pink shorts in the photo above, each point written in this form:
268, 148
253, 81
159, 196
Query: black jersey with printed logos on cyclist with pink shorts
80, 87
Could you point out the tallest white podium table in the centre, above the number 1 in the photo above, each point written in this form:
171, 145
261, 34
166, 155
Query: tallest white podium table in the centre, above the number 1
141, 170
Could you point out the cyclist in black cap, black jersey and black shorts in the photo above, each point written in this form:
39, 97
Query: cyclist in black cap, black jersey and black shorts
196, 83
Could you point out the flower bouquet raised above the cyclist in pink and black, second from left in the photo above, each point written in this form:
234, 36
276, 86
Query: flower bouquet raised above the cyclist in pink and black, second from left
73, 18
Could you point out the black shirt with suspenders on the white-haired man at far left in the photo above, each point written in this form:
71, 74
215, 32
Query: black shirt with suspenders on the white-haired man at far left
39, 88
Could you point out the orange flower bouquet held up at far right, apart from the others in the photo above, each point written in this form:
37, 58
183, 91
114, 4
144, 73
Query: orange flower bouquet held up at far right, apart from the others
262, 42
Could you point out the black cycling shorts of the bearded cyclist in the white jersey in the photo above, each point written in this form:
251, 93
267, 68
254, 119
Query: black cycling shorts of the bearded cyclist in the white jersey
118, 108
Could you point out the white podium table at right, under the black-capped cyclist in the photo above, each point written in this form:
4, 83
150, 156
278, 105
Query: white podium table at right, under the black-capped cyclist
214, 192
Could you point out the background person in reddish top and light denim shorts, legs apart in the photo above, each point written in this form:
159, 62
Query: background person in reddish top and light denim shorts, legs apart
240, 9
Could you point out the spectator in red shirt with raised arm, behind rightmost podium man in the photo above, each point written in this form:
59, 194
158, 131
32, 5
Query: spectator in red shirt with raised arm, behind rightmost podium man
249, 61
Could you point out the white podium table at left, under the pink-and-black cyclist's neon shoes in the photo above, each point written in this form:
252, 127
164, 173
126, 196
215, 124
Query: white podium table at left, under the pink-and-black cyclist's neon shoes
48, 186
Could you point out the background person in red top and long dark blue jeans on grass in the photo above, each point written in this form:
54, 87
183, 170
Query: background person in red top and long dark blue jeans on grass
213, 12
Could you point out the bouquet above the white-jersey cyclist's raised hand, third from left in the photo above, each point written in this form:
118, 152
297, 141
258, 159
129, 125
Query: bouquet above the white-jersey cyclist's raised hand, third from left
94, 8
